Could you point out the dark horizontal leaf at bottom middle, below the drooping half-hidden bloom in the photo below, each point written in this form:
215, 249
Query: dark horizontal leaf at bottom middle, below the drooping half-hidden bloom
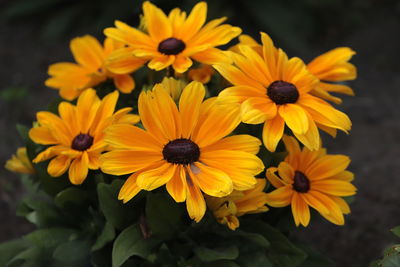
220, 253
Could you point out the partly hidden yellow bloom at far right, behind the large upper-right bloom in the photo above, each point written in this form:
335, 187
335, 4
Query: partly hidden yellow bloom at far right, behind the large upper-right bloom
333, 66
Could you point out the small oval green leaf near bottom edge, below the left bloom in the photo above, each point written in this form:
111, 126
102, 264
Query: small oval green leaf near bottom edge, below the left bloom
71, 251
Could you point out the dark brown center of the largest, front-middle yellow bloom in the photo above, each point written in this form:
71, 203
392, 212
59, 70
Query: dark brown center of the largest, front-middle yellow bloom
181, 151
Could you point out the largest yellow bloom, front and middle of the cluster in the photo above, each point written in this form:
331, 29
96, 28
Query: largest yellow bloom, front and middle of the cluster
183, 148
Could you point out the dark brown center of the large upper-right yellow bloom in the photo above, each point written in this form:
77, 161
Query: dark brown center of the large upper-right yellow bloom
282, 92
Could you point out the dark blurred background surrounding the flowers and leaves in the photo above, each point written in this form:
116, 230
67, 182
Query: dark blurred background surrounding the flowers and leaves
34, 34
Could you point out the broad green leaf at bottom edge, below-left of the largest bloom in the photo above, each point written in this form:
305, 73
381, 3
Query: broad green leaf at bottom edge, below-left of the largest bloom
130, 242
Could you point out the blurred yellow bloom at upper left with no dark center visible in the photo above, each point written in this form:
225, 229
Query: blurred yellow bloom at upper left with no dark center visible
91, 69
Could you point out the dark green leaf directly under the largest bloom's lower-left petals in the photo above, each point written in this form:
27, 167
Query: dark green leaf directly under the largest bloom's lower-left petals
115, 212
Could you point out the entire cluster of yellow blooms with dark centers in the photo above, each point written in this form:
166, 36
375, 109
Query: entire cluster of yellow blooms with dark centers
185, 138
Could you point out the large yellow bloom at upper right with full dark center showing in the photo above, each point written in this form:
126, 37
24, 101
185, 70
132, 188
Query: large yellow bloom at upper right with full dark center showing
275, 90
